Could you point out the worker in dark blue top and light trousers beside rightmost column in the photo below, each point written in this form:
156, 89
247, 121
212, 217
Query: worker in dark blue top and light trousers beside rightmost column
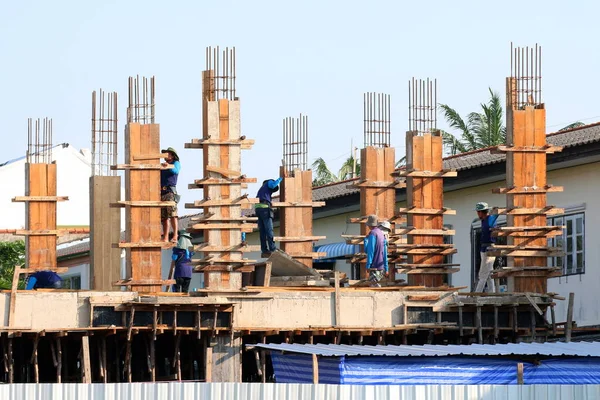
487, 262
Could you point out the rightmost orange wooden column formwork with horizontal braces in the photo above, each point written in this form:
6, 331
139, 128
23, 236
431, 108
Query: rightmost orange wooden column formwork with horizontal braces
526, 195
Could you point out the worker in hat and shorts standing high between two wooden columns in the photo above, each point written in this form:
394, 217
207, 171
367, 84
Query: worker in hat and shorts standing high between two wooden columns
168, 192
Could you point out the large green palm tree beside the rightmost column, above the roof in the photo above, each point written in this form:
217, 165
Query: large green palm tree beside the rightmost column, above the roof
481, 129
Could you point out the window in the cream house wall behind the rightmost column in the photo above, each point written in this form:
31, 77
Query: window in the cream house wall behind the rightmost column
572, 243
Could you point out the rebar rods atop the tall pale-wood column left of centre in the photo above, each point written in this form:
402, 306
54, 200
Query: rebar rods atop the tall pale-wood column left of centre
223, 76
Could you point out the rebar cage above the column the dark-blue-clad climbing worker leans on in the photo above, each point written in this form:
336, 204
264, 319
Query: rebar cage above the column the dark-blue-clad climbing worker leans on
295, 143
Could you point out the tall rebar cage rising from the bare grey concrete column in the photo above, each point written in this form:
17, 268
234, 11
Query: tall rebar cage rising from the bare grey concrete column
104, 133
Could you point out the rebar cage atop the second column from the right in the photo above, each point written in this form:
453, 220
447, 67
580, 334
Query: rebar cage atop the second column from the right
422, 105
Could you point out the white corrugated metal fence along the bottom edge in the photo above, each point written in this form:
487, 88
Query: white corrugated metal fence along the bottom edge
281, 391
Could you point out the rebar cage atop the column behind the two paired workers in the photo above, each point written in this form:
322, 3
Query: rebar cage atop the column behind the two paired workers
376, 121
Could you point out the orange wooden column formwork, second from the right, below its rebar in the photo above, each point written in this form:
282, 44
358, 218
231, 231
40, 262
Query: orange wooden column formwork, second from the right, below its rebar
425, 248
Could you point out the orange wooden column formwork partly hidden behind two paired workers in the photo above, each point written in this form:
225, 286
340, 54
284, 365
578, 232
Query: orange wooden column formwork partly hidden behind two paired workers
377, 194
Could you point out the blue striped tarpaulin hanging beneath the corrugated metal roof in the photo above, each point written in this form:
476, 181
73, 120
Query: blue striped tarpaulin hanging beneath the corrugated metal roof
297, 368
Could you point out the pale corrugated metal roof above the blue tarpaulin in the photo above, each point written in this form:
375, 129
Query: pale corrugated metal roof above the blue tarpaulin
579, 349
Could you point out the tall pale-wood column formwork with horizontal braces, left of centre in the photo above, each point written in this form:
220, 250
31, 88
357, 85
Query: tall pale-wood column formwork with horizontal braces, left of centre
222, 221
